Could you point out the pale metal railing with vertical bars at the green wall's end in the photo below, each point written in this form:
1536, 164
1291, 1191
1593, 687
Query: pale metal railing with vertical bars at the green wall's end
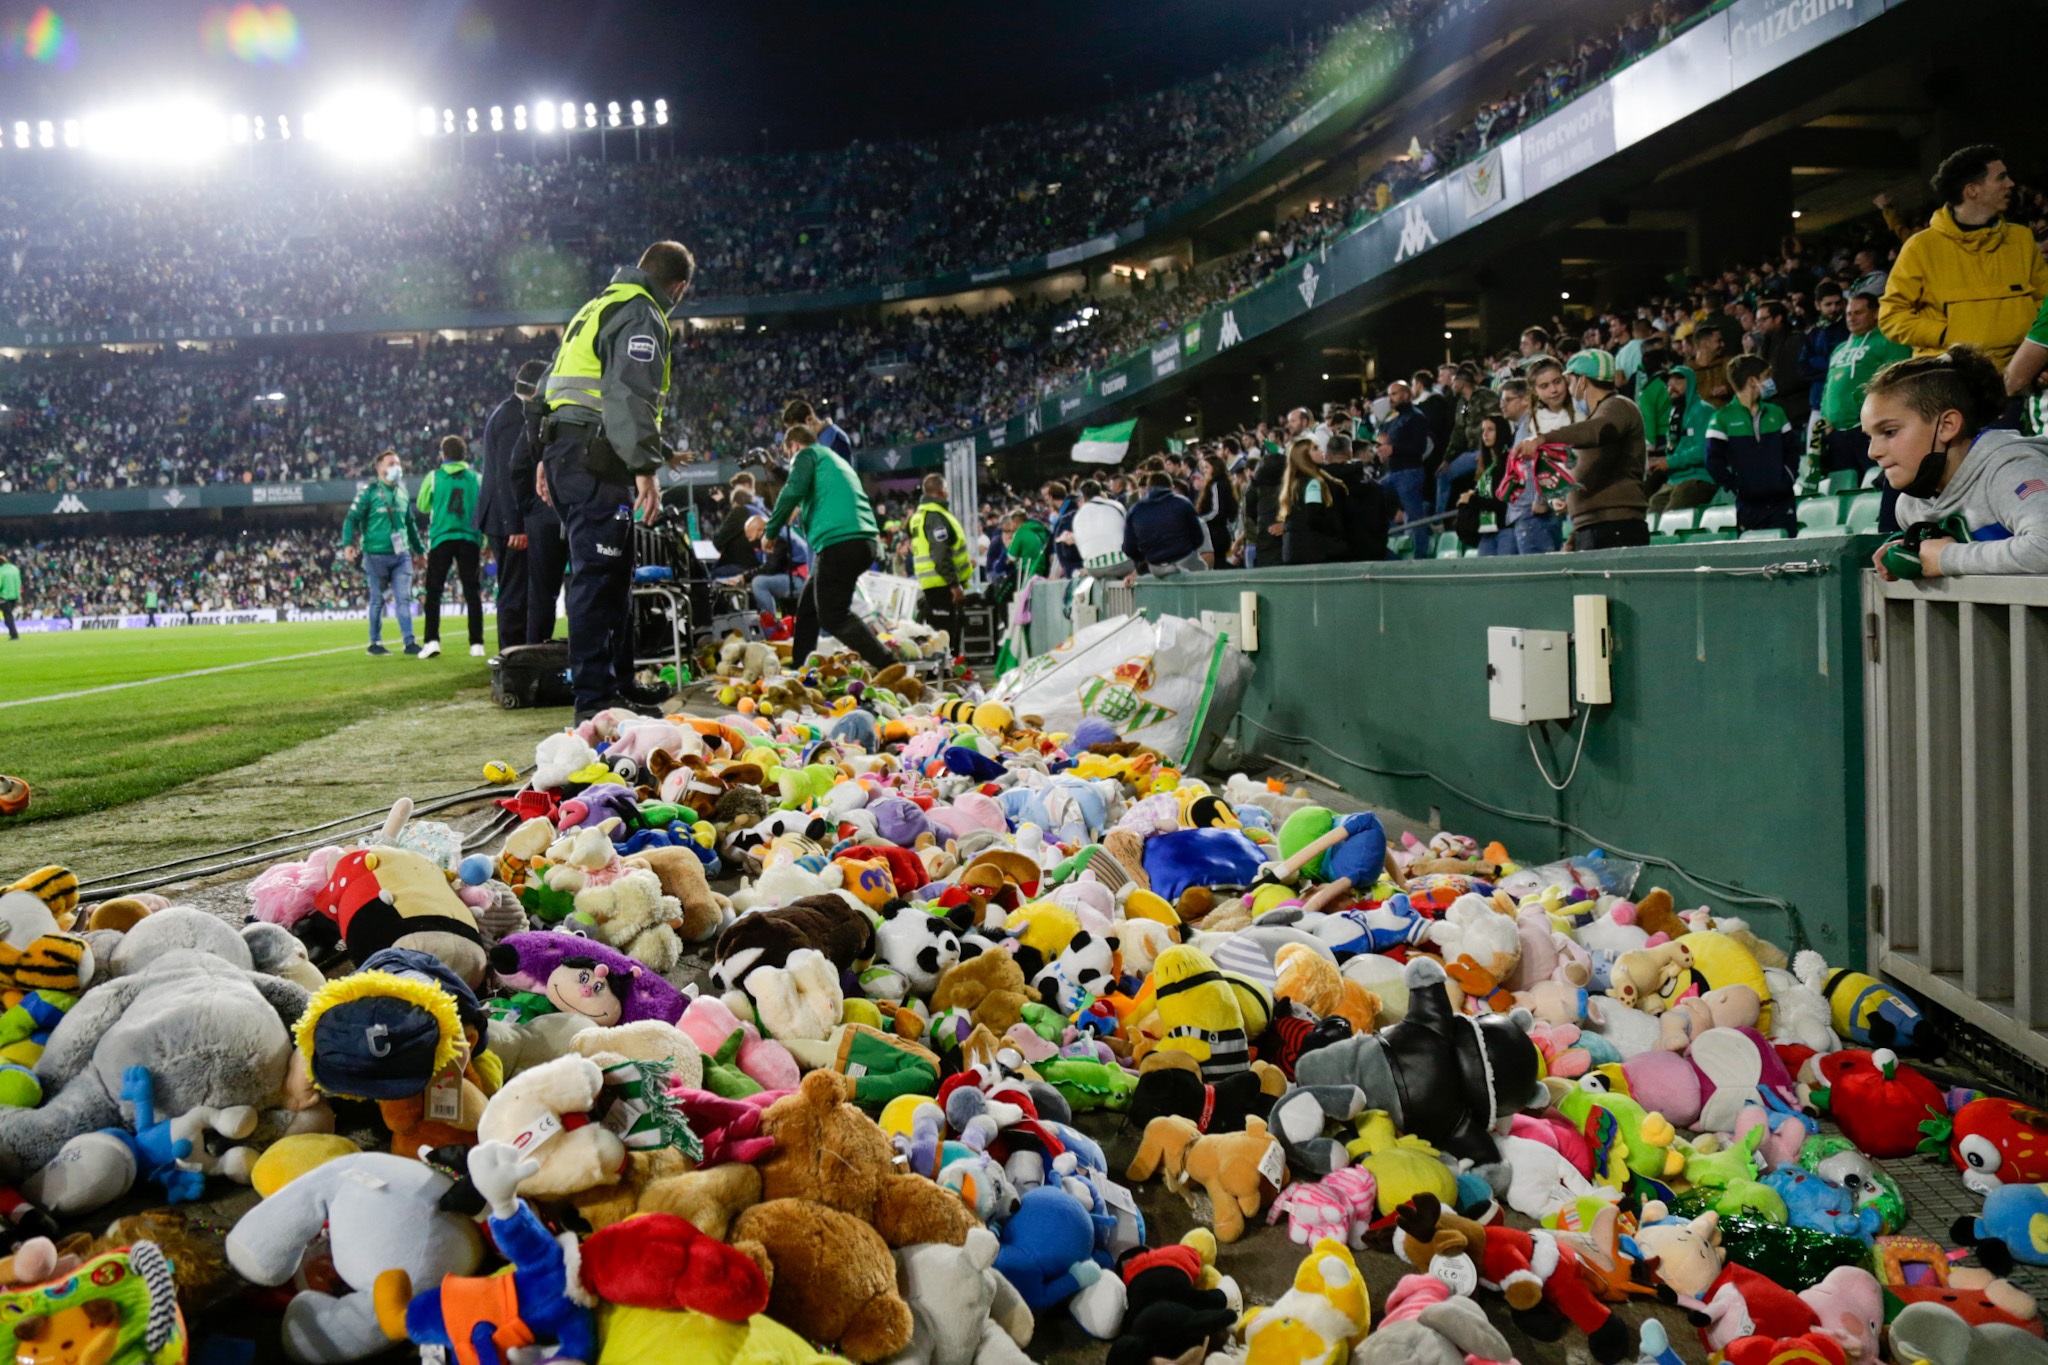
1957, 768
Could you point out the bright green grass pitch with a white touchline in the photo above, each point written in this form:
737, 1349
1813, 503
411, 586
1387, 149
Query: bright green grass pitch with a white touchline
99, 752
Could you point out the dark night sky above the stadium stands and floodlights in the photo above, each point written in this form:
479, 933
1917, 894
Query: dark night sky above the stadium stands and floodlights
812, 73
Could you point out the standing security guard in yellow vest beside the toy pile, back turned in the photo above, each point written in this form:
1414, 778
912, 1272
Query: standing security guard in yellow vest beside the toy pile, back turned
601, 437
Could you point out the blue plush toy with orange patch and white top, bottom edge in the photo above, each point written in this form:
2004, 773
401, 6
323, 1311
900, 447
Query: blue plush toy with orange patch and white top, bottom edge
540, 1301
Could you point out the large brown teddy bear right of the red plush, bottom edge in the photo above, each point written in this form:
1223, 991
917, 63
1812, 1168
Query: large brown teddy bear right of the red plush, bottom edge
835, 1208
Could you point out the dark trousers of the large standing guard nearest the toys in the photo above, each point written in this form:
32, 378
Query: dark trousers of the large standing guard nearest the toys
597, 519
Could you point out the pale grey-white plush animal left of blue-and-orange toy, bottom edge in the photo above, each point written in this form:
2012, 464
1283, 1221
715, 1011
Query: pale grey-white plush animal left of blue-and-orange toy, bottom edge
388, 1237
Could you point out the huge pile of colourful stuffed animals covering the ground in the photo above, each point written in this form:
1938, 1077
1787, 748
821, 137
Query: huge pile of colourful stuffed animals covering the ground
566, 1102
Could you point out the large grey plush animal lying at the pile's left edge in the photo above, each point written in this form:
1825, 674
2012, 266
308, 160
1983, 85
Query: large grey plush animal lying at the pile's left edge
210, 1030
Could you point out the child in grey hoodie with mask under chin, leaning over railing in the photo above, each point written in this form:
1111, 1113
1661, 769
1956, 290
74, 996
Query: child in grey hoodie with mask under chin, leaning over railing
1930, 433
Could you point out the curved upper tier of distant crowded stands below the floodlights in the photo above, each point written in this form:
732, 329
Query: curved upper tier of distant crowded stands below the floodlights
286, 236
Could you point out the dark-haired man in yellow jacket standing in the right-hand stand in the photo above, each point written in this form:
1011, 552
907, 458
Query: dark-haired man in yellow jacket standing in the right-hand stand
1971, 275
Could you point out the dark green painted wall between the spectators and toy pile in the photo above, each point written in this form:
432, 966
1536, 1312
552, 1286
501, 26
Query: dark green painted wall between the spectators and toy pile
1734, 746
